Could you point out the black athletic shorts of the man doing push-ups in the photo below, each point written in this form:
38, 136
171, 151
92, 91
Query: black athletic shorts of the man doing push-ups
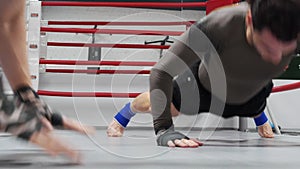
253, 107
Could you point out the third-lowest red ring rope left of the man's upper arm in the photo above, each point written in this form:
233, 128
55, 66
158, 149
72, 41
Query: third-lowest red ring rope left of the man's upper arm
104, 63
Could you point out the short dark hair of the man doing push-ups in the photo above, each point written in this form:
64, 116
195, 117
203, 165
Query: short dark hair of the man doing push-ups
282, 17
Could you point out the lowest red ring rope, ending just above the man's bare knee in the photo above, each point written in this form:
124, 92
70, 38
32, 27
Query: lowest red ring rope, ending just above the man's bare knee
86, 94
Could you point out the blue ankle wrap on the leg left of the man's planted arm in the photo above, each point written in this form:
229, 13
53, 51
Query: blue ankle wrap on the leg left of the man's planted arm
124, 115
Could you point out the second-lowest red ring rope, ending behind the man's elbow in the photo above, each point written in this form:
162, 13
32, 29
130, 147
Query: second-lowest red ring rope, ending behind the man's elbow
92, 71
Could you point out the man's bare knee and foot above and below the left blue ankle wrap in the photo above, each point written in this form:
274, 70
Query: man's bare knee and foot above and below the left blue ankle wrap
141, 104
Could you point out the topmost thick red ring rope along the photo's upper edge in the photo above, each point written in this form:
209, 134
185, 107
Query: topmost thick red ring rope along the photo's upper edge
128, 4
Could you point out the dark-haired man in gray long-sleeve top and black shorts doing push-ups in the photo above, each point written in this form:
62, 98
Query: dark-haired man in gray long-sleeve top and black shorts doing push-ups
224, 64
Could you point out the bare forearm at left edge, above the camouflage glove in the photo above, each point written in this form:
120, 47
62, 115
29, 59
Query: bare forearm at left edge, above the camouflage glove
13, 54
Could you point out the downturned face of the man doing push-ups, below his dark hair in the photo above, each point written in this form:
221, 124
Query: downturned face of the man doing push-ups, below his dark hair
270, 48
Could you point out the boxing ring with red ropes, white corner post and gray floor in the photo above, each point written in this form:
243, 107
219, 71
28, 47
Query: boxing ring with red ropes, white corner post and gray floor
114, 80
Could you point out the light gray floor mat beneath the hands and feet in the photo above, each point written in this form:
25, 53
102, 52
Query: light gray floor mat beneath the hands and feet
137, 149
